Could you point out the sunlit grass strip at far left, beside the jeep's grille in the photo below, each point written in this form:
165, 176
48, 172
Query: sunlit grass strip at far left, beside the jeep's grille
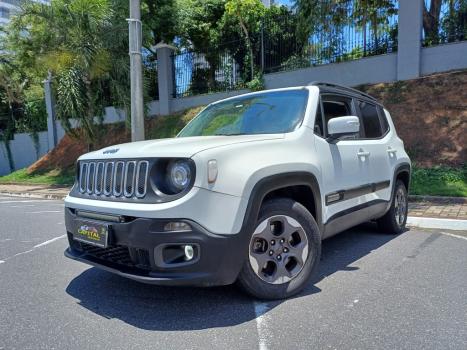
52, 177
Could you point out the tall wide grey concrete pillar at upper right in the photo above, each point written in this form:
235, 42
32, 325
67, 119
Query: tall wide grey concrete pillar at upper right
409, 39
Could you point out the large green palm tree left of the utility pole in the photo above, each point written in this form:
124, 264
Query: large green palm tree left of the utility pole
80, 44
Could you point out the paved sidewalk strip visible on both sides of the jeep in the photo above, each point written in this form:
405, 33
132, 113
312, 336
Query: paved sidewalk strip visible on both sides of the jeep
419, 206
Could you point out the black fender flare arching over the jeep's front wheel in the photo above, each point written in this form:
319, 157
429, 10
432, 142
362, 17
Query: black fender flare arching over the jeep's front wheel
278, 181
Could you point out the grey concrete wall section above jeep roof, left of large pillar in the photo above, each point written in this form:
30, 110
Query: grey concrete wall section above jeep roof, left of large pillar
366, 70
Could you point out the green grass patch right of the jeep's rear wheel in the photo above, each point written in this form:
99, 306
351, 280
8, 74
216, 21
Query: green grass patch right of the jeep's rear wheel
439, 181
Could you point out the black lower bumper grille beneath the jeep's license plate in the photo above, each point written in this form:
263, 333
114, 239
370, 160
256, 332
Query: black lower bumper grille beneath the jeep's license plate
117, 255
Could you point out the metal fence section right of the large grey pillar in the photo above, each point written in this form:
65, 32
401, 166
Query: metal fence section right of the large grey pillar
452, 24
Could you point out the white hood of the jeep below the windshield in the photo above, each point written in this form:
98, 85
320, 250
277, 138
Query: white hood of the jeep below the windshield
183, 147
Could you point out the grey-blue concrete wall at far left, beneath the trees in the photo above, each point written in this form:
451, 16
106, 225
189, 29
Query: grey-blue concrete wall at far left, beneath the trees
23, 151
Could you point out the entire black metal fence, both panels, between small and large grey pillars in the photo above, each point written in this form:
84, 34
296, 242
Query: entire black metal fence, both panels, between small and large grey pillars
339, 31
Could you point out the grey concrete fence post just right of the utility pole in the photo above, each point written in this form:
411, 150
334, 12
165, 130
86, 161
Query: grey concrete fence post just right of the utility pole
165, 76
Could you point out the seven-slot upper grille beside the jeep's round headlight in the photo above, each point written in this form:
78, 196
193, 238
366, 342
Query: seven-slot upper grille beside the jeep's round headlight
114, 178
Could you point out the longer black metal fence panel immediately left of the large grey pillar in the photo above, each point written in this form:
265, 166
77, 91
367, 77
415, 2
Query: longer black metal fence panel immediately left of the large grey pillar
341, 31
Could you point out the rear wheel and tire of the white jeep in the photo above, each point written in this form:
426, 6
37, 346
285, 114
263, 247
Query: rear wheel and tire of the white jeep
388, 223
